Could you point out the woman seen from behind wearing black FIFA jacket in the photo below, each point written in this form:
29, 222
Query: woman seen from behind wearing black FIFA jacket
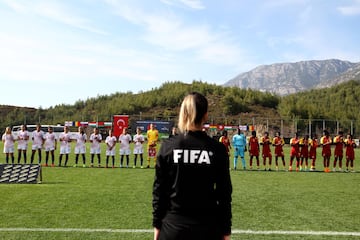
192, 187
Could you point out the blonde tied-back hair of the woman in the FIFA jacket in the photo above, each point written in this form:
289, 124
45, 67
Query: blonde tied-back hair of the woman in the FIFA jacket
192, 112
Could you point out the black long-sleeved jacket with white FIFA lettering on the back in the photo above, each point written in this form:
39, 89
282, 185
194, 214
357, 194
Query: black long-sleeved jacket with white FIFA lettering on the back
192, 182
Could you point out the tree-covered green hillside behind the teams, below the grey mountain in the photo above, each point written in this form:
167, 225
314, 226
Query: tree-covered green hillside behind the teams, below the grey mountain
227, 105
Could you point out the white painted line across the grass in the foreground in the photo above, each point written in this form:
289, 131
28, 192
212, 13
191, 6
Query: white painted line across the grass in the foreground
234, 232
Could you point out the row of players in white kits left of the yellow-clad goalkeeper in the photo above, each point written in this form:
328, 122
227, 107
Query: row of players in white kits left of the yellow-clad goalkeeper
48, 142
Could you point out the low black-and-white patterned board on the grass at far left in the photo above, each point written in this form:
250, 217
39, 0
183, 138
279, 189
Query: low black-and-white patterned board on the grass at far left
20, 173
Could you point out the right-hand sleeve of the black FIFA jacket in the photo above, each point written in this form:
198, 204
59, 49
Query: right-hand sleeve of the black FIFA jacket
223, 192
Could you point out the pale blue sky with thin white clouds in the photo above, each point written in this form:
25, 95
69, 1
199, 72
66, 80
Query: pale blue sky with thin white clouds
60, 51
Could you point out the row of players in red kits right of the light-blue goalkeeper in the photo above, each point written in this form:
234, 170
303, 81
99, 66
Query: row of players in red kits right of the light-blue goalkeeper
303, 150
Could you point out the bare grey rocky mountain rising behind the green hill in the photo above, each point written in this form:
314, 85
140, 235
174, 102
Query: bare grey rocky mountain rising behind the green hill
288, 78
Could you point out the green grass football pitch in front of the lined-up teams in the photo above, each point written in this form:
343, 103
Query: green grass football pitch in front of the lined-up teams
99, 203
